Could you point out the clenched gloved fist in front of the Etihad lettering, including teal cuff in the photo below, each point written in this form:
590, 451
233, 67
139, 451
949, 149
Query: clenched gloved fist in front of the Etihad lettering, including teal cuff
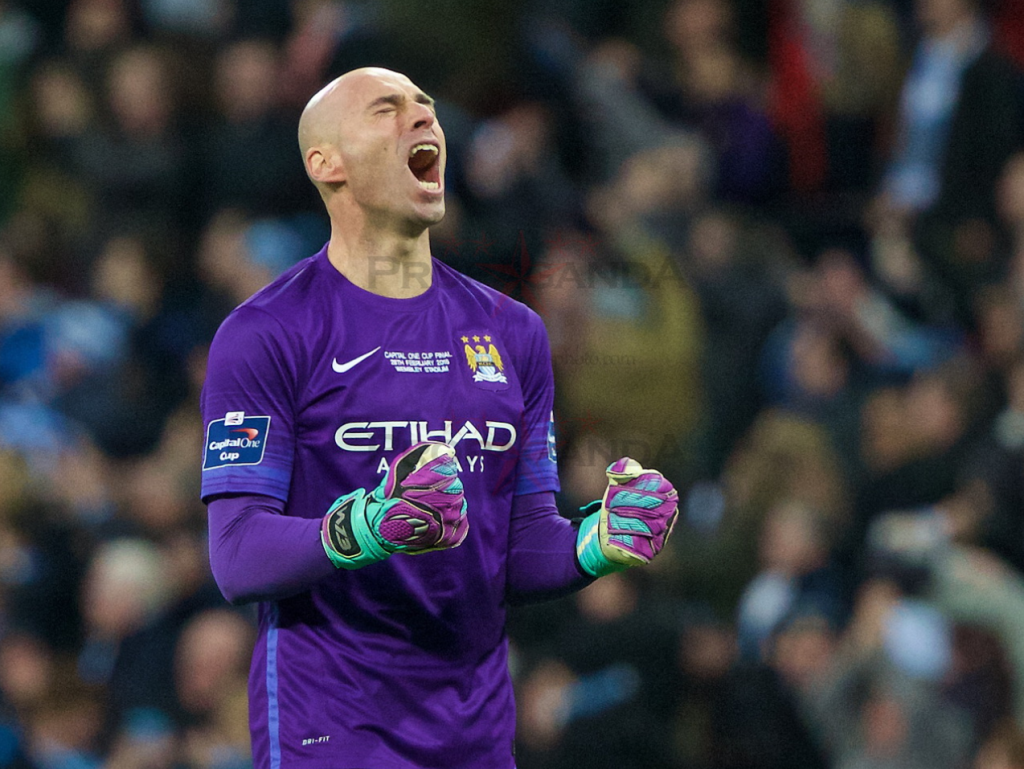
418, 507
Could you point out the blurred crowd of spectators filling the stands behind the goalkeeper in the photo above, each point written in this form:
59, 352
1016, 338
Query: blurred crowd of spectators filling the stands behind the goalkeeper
779, 249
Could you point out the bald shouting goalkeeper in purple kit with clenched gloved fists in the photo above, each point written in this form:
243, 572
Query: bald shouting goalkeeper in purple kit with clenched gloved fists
379, 468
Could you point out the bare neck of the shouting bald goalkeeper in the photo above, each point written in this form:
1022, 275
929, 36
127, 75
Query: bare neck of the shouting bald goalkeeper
381, 260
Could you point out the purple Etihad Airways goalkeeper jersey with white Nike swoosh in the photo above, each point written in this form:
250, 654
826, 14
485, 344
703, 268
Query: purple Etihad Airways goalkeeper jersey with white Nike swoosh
314, 387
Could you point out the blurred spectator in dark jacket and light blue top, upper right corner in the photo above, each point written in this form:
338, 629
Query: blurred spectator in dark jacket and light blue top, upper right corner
960, 121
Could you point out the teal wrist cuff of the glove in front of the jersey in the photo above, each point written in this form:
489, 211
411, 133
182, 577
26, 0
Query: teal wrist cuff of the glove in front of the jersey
348, 535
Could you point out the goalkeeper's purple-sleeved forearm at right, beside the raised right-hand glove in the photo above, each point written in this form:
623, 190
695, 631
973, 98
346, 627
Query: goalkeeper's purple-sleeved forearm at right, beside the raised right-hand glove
542, 562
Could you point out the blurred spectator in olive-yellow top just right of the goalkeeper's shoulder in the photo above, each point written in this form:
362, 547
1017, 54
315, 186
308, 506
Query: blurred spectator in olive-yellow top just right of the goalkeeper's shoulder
636, 302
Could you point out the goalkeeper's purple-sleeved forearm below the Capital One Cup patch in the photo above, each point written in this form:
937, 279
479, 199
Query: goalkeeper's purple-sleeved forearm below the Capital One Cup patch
259, 554
